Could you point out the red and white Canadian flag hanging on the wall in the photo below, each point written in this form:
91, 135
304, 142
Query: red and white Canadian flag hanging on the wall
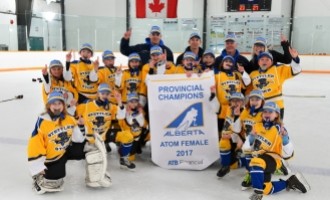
156, 8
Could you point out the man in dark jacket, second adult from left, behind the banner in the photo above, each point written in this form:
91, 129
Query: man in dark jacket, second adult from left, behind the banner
194, 46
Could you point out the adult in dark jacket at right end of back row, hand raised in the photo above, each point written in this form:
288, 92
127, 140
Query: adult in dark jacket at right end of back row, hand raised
260, 45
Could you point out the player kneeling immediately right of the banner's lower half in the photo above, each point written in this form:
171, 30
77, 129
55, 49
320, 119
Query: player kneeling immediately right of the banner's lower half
231, 141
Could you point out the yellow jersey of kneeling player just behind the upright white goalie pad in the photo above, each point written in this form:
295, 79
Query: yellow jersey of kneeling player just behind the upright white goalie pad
98, 119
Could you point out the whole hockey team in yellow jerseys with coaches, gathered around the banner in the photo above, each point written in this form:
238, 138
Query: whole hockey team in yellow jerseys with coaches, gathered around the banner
87, 106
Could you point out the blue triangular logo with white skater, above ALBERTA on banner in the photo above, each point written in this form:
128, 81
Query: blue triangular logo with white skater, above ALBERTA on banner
190, 117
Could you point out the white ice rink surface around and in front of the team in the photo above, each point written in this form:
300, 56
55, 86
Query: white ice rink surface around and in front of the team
307, 118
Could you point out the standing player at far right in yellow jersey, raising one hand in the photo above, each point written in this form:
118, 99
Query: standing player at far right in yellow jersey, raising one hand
270, 78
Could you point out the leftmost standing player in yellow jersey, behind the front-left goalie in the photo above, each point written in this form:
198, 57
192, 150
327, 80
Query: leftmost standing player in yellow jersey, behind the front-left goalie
54, 81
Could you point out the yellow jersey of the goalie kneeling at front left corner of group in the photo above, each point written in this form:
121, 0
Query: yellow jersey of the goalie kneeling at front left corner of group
49, 140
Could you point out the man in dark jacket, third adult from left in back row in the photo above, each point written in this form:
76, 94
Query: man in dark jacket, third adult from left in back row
230, 50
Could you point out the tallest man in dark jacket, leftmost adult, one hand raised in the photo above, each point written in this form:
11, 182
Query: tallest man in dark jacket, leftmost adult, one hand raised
144, 49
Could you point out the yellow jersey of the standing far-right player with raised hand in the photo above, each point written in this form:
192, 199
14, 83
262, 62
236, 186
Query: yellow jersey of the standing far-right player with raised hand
271, 81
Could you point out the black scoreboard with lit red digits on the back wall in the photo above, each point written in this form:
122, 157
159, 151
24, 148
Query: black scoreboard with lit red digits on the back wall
248, 5
